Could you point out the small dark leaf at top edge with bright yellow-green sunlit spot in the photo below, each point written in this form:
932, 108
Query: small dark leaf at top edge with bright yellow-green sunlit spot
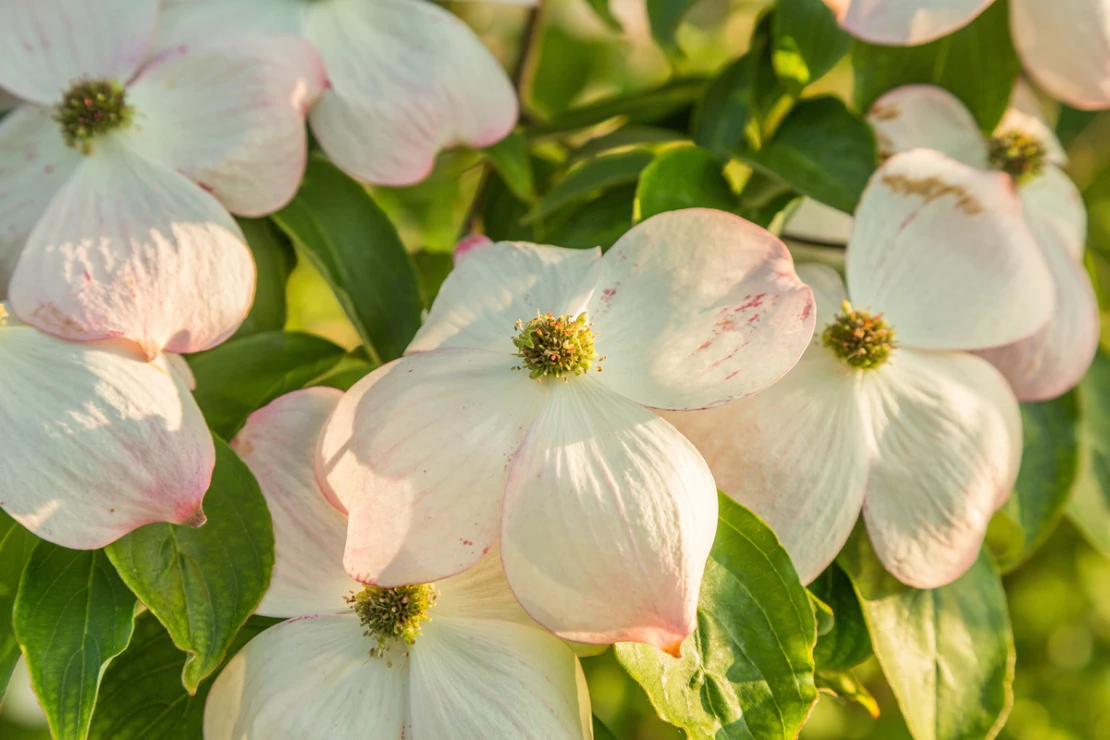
809, 42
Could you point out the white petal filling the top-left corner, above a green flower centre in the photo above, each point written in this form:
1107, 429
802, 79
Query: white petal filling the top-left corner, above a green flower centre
47, 45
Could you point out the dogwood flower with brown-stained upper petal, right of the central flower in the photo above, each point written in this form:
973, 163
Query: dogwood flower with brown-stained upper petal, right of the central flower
887, 412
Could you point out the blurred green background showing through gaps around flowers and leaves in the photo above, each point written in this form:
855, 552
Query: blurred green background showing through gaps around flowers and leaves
1059, 601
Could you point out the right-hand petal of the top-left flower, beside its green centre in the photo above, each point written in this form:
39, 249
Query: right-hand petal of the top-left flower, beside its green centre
229, 115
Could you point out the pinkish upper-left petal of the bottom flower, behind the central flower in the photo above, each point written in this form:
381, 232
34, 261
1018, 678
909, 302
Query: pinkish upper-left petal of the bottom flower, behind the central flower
279, 444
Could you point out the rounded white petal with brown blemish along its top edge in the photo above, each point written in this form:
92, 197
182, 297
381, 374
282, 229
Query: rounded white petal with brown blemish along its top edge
943, 250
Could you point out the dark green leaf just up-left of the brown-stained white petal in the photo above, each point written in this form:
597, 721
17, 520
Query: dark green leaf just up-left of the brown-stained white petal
823, 151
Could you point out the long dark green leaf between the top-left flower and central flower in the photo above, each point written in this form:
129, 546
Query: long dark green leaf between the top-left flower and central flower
357, 249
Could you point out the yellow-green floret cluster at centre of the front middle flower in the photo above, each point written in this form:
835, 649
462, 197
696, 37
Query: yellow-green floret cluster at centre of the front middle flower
559, 347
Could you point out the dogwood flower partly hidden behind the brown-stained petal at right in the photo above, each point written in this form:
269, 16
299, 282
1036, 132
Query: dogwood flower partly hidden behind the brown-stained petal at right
1055, 359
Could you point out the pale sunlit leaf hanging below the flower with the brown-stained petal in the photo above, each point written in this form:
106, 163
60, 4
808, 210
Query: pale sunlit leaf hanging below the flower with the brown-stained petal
947, 653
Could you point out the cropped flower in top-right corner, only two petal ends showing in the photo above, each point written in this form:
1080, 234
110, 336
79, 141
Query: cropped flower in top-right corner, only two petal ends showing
1064, 45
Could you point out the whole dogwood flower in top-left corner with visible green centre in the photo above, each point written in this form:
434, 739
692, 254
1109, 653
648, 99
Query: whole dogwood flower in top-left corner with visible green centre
117, 174
